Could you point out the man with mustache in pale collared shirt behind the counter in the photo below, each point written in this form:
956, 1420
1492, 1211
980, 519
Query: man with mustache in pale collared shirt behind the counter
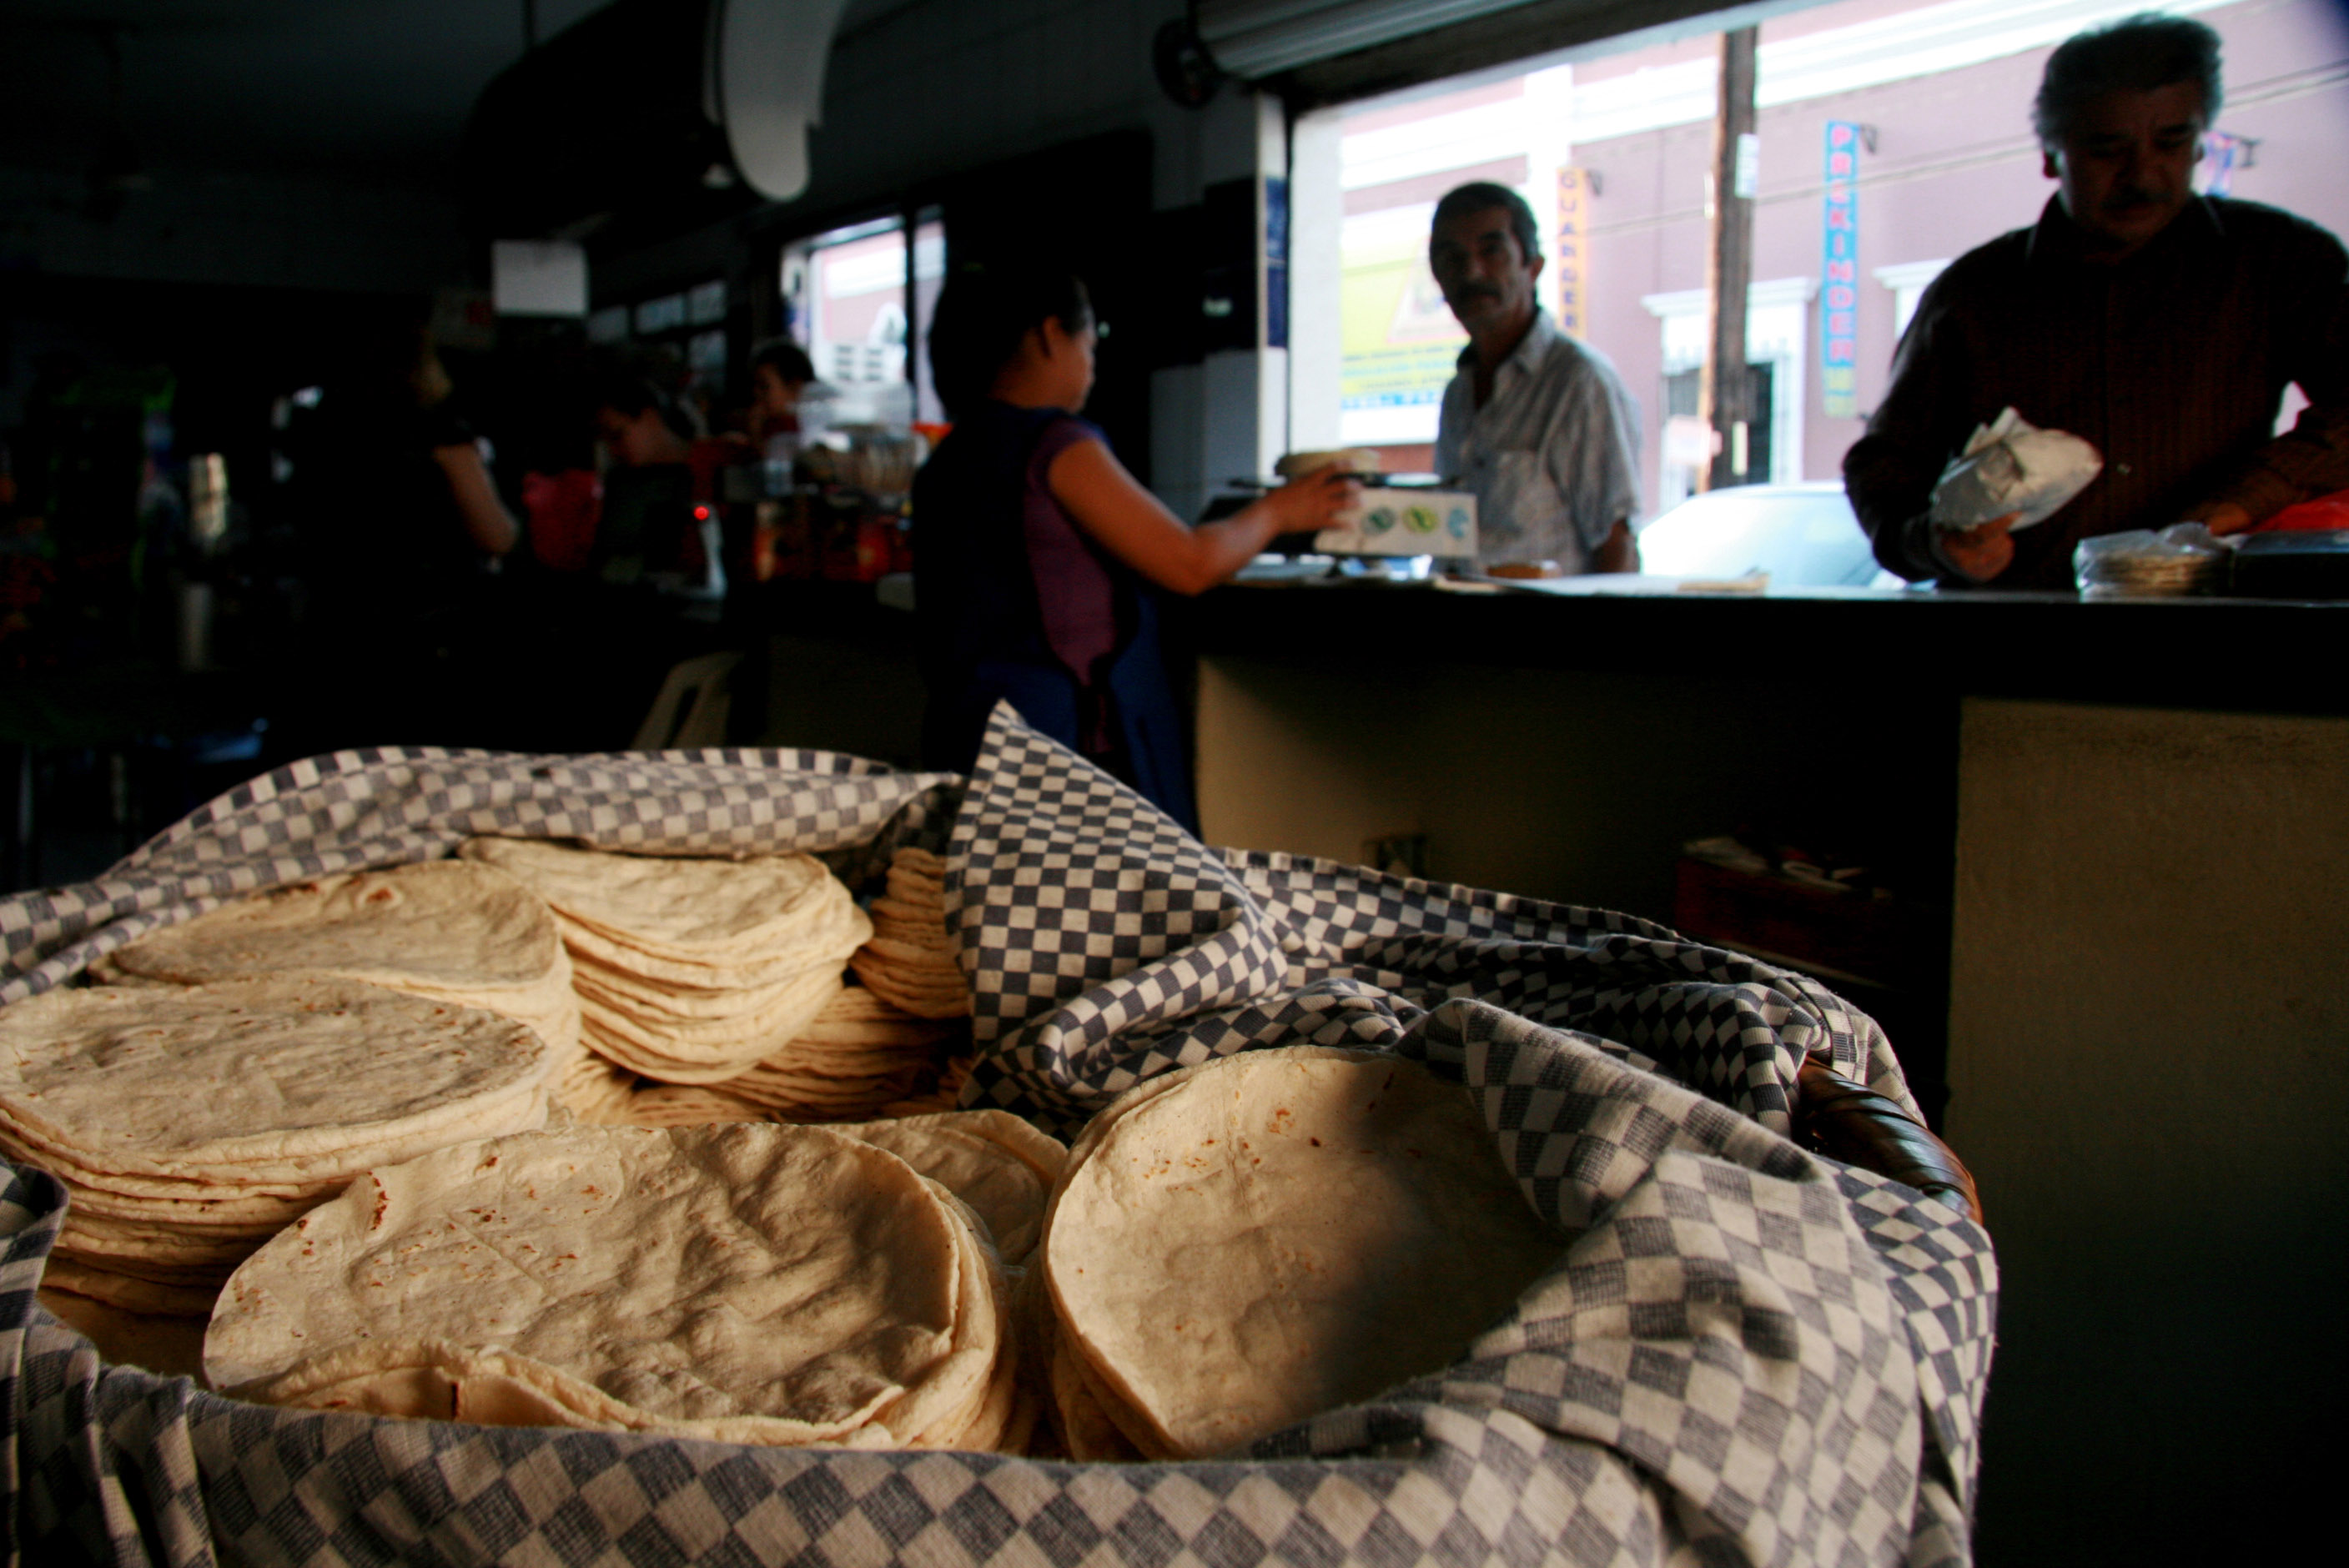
1535, 424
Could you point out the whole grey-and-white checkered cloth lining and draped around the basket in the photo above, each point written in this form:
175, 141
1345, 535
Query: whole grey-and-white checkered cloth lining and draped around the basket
1746, 1353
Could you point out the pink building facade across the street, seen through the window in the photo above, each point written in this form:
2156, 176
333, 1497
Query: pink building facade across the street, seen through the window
1946, 163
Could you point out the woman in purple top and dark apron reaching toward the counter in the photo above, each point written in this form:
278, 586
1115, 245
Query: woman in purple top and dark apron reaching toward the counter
1039, 560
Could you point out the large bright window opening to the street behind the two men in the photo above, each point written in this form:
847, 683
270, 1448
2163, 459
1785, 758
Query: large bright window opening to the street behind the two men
1615, 154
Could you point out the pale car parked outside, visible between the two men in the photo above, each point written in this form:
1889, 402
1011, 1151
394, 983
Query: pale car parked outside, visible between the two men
1801, 534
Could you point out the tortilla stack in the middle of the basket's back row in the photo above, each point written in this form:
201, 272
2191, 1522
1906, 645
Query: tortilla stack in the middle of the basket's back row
689, 971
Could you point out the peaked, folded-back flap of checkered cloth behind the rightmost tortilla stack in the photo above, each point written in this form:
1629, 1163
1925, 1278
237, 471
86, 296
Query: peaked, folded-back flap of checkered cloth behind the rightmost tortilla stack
1105, 945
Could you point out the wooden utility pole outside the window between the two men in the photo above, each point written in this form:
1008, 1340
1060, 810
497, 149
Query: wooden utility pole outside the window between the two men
1725, 391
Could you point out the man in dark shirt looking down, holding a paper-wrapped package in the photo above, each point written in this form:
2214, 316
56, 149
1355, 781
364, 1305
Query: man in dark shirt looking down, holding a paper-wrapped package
2155, 323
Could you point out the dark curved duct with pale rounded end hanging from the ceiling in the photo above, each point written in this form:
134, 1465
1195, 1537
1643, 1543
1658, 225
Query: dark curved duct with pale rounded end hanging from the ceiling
649, 109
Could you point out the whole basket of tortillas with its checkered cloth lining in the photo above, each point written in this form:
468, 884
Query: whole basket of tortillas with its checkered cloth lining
783, 1158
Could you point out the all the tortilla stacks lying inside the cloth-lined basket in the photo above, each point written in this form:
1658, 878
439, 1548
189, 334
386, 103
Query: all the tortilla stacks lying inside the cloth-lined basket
546, 1135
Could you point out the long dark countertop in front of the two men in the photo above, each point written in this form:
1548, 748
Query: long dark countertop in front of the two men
2202, 654
